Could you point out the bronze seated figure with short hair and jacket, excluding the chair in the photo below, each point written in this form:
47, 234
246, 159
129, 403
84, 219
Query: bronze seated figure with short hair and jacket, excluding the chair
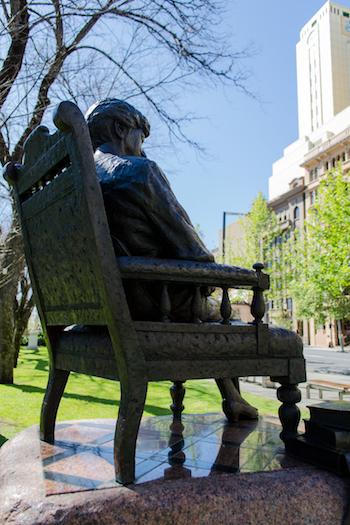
144, 216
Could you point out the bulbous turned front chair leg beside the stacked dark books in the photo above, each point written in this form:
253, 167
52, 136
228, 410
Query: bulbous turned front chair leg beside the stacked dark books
288, 412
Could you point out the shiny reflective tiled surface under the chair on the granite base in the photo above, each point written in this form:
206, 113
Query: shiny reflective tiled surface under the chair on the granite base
202, 445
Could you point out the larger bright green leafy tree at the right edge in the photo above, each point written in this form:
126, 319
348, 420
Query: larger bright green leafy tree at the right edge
321, 267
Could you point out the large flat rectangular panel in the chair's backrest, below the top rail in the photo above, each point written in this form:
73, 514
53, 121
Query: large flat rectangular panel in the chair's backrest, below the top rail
63, 254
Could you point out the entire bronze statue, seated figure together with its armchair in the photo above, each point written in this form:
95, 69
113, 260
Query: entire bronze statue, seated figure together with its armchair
120, 276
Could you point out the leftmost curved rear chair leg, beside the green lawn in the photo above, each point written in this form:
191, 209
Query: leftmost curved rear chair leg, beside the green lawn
54, 392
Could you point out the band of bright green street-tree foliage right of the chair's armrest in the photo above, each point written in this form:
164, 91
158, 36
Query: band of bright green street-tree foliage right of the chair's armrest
310, 265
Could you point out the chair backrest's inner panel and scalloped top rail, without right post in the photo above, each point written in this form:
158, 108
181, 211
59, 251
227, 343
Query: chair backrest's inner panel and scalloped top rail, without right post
59, 241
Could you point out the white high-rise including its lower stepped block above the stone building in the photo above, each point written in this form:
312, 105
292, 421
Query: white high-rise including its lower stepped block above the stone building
323, 75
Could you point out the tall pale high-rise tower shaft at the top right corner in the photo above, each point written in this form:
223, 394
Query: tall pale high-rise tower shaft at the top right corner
323, 72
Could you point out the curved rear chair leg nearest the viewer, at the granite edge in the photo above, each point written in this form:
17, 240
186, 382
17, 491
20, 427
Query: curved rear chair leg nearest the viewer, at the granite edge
132, 402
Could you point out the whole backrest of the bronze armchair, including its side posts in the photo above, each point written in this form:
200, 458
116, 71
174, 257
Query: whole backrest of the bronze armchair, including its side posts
68, 248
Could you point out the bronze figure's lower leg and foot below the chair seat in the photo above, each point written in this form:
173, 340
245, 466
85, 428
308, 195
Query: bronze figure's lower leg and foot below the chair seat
233, 405
